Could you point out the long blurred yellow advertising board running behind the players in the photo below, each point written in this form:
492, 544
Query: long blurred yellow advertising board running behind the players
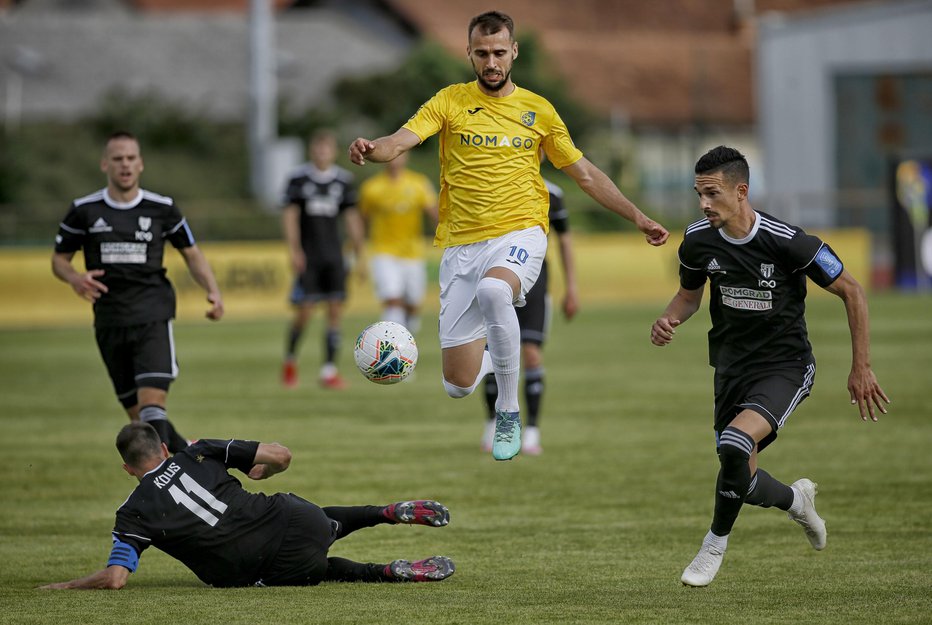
255, 278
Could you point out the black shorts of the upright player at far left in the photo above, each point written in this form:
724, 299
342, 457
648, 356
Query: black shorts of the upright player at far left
136, 356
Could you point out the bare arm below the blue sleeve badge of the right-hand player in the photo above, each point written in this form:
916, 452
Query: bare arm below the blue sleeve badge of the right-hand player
862, 384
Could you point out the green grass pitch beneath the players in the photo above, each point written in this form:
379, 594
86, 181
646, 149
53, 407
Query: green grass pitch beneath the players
596, 530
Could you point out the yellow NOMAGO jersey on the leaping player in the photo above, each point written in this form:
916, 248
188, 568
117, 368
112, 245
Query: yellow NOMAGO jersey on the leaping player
490, 181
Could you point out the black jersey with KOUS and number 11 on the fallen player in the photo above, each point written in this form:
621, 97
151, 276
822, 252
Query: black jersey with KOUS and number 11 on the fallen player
191, 508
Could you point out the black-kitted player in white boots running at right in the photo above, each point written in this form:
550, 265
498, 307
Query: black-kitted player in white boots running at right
757, 267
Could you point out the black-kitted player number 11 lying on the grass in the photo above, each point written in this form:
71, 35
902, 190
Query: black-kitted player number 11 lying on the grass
190, 507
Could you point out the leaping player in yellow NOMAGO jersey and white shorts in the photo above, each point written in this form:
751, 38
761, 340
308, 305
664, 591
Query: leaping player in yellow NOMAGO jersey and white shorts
493, 211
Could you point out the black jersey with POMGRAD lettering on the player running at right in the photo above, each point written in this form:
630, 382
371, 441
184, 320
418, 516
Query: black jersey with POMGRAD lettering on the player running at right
758, 289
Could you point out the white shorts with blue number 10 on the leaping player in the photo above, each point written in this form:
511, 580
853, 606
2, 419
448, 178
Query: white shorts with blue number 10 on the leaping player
461, 268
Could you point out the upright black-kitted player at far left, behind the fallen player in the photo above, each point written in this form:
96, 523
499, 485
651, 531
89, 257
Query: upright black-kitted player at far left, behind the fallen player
122, 230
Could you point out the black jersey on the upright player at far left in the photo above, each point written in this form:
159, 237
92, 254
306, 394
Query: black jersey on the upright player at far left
127, 241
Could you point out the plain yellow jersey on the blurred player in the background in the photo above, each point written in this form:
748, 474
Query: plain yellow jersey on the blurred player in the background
394, 210
